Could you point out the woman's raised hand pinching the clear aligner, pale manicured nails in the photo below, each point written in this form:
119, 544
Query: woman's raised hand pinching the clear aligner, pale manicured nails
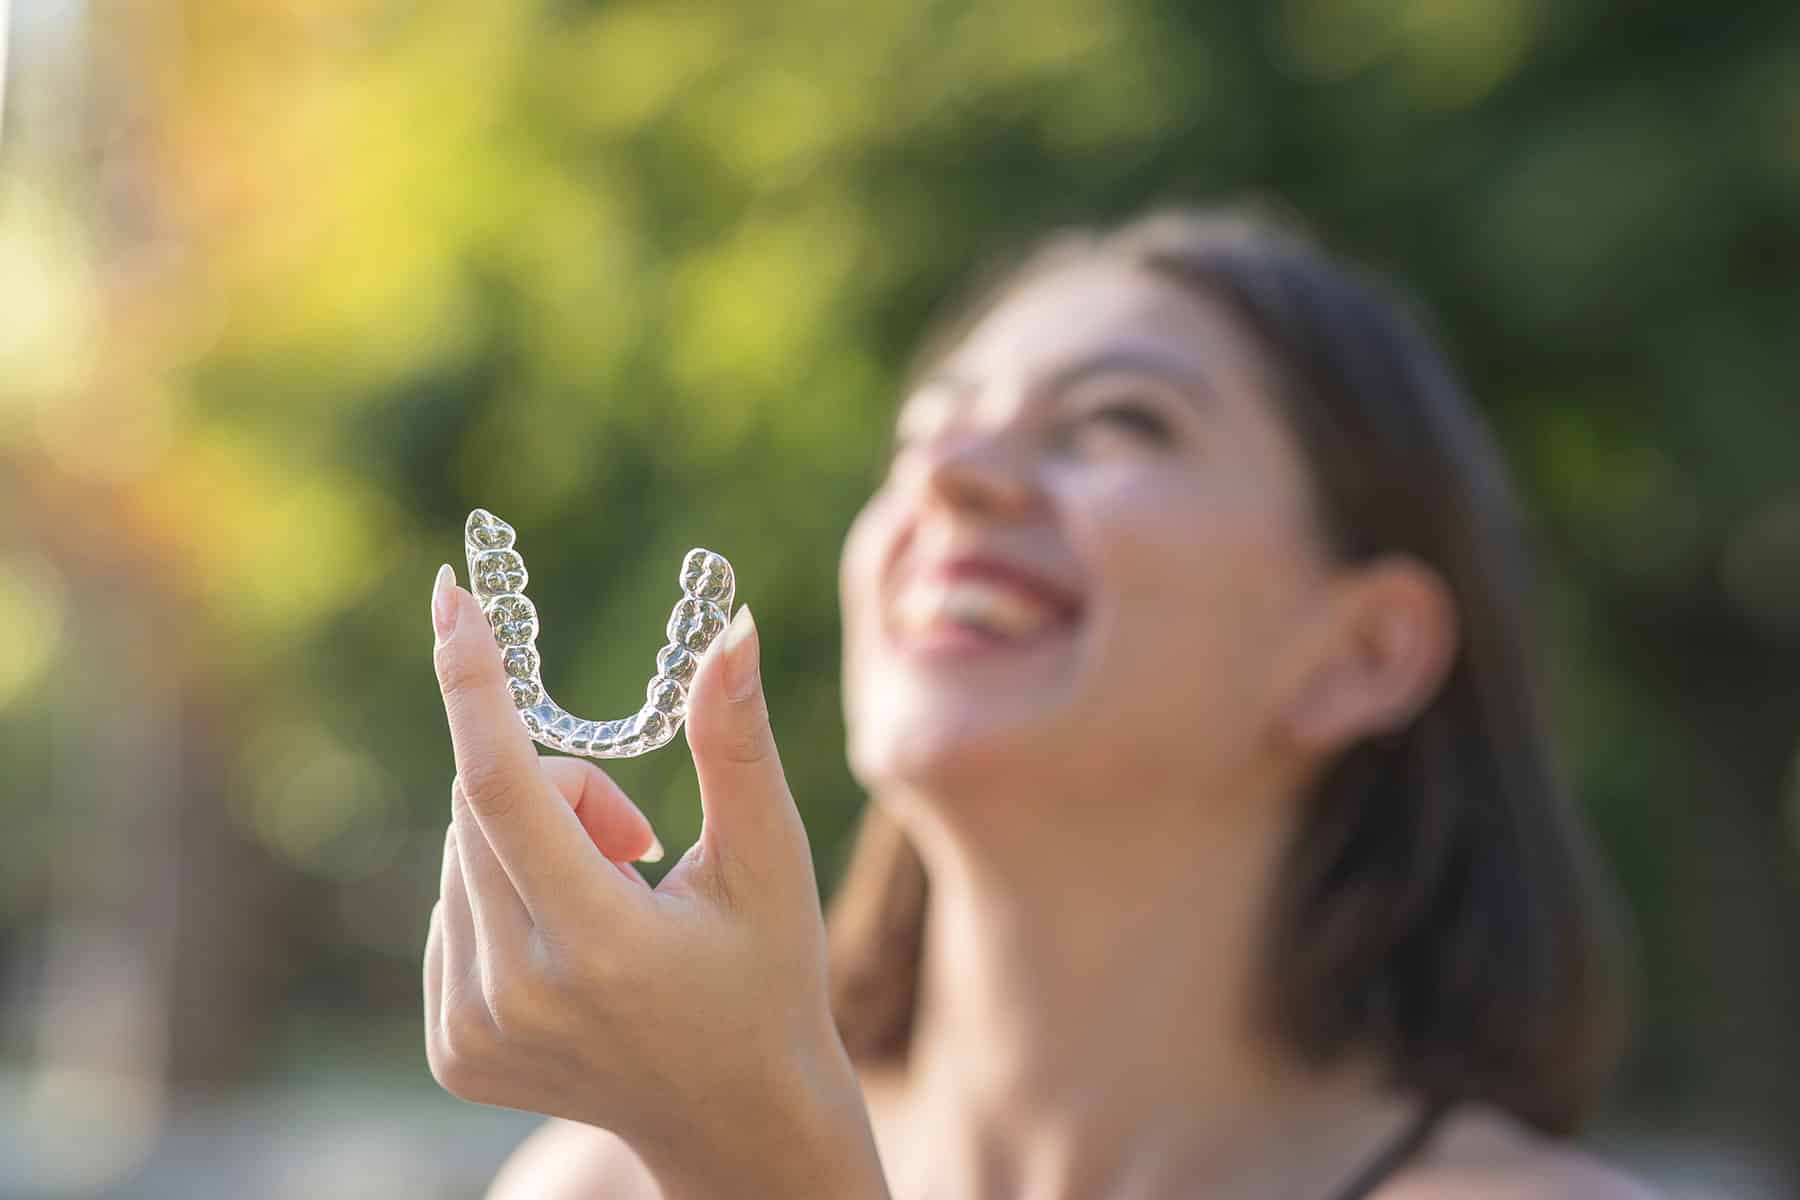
690, 1019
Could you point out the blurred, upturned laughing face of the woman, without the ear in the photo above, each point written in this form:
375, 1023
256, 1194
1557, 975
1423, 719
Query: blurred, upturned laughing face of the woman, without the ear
1093, 542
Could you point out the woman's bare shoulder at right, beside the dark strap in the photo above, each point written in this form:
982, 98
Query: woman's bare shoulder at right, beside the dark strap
1484, 1152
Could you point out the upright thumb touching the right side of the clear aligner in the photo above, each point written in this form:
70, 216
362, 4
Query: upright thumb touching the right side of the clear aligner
755, 837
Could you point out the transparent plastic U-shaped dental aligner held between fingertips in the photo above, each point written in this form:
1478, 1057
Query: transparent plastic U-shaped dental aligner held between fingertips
498, 578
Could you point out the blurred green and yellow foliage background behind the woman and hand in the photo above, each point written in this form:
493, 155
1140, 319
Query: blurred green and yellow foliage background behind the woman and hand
287, 287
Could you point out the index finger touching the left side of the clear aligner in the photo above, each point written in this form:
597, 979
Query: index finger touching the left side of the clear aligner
534, 832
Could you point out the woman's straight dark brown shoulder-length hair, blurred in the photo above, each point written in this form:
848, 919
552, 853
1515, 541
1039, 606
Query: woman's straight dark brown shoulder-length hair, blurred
1441, 900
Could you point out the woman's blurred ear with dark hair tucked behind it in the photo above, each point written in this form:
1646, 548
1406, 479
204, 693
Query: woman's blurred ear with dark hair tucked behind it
1385, 658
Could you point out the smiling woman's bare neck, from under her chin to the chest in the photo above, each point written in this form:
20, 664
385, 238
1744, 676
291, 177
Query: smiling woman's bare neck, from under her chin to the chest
1086, 1019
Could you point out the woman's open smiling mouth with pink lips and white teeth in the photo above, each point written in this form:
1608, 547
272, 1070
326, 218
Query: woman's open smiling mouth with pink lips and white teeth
980, 602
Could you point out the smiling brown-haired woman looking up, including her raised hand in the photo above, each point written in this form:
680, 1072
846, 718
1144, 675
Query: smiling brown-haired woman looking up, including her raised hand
1216, 841
